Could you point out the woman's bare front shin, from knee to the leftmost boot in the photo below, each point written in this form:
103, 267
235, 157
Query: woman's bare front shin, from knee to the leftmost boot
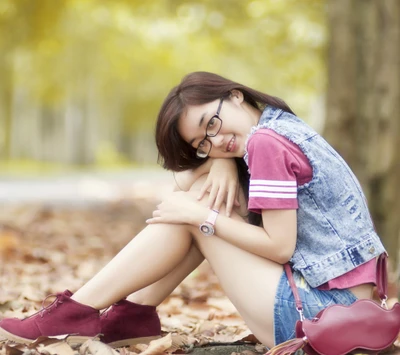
149, 257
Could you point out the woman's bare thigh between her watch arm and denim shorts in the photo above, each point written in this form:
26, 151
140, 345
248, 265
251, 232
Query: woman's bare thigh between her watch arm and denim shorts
249, 281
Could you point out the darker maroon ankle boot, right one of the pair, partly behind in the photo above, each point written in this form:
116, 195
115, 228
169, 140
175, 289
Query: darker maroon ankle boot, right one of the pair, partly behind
127, 323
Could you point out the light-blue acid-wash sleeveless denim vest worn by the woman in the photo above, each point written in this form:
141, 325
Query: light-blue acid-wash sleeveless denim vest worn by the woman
335, 233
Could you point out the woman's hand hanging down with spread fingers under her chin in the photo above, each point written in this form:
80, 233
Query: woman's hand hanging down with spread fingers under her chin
223, 184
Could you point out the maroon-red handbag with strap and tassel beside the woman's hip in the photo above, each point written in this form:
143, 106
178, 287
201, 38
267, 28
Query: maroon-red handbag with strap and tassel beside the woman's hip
364, 327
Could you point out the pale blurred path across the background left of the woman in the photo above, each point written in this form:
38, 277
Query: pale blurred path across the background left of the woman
84, 188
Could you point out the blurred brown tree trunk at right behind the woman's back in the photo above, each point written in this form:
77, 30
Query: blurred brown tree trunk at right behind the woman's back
363, 104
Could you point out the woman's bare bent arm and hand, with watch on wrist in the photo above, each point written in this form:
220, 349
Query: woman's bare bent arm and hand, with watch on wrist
275, 241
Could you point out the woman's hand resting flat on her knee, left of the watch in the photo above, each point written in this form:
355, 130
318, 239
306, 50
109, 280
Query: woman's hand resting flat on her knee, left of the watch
179, 208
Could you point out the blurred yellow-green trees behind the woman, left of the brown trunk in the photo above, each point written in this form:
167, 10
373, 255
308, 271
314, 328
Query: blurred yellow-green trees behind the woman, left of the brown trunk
82, 80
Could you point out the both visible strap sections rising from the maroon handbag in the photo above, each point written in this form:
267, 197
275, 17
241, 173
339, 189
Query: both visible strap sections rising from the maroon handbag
381, 282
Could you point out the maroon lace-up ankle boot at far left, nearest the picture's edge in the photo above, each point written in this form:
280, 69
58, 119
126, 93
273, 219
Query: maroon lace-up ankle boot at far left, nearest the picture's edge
63, 316
